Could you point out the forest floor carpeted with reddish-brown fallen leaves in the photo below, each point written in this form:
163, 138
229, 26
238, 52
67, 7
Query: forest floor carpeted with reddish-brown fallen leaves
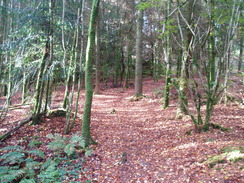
139, 141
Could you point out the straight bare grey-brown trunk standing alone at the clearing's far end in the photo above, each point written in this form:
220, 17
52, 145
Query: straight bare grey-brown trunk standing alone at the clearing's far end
138, 73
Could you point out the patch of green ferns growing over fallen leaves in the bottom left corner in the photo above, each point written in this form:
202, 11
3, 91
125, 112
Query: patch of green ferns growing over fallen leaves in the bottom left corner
32, 165
